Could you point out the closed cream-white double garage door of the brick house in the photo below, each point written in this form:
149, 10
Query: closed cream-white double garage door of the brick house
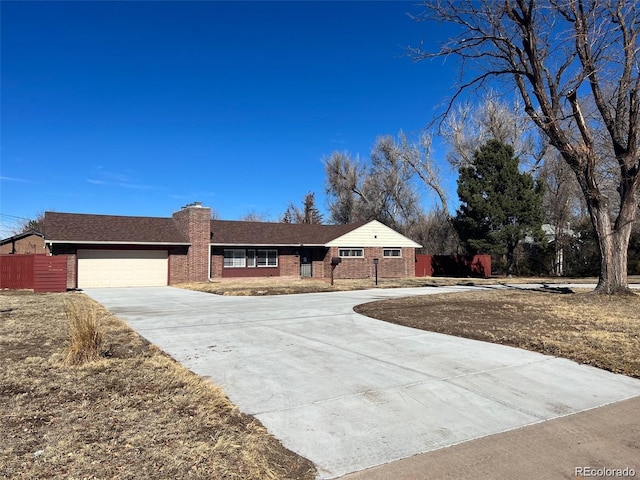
122, 268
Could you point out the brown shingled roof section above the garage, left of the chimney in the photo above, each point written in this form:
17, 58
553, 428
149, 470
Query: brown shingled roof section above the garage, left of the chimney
112, 229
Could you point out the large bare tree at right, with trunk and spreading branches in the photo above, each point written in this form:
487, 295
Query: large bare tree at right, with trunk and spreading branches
562, 56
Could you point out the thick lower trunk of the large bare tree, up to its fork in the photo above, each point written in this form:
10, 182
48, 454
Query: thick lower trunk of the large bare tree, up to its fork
614, 245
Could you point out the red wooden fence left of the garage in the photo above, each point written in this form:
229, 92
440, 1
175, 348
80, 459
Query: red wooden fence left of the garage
43, 273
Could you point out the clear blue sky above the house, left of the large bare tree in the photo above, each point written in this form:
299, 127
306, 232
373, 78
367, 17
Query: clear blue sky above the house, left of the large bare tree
138, 108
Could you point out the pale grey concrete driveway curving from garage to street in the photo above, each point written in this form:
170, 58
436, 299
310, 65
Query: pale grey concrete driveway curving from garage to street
349, 392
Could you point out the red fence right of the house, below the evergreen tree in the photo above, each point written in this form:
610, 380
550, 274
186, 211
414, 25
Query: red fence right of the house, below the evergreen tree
453, 266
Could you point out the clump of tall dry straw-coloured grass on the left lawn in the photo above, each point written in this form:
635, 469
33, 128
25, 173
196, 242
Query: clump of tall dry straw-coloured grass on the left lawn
85, 331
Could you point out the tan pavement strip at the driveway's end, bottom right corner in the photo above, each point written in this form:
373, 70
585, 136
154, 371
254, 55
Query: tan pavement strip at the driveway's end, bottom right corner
602, 438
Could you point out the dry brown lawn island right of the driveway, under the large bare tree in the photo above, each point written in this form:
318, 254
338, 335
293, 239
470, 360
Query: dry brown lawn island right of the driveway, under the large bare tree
597, 330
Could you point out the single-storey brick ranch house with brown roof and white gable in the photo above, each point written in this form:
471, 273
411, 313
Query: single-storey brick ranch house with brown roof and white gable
106, 250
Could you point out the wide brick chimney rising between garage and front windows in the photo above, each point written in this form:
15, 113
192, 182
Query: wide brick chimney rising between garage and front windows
195, 221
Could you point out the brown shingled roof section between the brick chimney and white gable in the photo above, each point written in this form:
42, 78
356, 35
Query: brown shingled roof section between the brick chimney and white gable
229, 232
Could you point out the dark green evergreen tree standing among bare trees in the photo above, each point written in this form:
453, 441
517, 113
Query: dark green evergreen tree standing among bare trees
500, 205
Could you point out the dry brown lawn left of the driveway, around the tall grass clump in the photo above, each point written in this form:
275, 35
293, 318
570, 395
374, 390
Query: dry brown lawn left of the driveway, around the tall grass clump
133, 414
